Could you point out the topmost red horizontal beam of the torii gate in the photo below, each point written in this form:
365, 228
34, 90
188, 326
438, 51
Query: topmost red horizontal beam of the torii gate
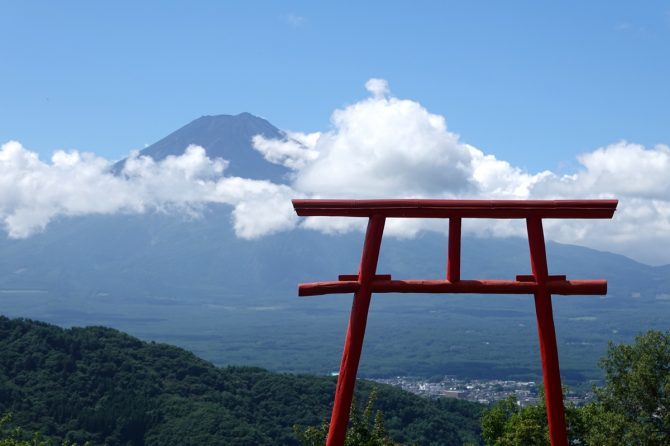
415, 208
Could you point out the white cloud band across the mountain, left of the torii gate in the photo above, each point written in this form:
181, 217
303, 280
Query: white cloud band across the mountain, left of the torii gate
33, 192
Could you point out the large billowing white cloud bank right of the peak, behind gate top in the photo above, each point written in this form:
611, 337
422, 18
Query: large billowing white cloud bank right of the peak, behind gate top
387, 147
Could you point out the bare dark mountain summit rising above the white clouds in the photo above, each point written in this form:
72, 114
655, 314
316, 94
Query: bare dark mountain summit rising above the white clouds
227, 137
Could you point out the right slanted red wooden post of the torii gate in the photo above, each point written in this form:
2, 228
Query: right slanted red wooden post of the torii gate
545, 326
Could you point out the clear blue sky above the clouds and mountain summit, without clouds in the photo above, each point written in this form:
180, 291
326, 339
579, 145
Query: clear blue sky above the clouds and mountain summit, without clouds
535, 84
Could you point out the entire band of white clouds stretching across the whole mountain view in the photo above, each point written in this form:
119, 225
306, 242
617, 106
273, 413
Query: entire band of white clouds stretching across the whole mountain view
379, 147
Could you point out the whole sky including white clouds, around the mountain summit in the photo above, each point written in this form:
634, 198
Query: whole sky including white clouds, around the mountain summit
541, 101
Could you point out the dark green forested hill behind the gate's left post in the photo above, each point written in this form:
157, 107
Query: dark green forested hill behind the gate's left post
100, 385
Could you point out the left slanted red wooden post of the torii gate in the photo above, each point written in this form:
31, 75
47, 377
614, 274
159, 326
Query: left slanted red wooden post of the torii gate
353, 344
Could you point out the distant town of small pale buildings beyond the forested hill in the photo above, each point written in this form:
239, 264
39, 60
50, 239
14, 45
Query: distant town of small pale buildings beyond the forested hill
480, 391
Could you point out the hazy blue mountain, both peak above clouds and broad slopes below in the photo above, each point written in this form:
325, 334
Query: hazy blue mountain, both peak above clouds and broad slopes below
192, 282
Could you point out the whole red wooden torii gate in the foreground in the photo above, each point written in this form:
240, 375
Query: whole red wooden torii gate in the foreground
540, 283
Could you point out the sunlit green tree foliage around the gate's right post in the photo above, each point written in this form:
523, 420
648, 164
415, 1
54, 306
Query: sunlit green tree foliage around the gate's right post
632, 408
